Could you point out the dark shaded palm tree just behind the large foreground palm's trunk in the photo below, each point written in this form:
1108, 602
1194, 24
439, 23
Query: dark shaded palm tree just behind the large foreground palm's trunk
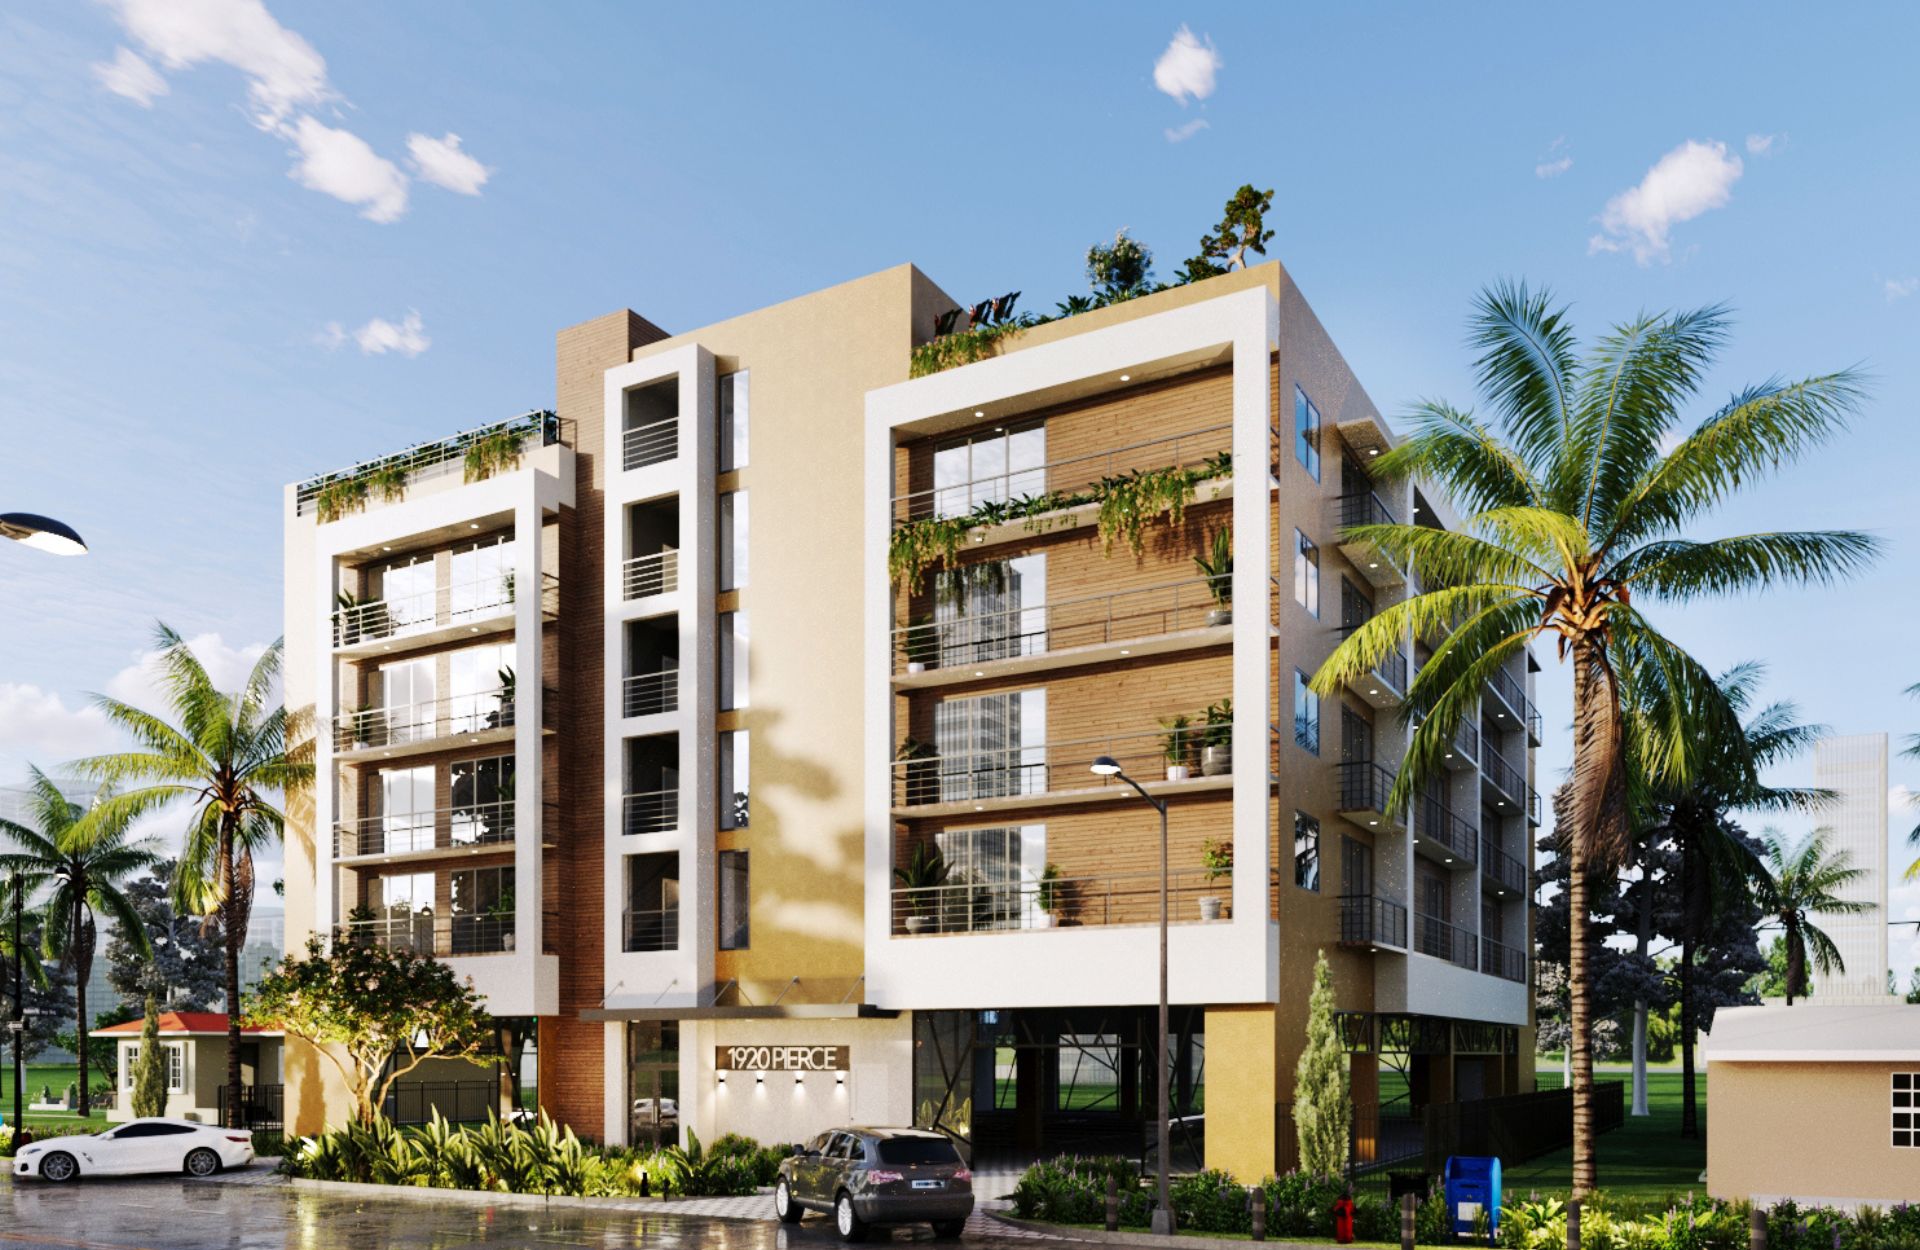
1717, 865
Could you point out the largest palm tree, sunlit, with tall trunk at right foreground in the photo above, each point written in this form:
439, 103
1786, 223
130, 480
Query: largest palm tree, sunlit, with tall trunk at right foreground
1575, 502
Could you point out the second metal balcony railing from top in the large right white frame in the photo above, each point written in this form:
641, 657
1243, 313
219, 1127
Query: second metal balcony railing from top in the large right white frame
976, 638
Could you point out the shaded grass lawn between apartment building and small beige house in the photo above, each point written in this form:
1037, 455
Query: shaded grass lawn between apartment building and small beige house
1644, 1161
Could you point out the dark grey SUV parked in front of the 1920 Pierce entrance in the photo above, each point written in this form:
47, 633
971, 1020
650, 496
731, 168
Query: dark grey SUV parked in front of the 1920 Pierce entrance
876, 1178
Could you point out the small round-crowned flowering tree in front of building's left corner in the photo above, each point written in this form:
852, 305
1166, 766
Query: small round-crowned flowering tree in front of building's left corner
364, 1005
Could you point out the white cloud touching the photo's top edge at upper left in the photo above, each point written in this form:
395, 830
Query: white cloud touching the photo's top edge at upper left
283, 70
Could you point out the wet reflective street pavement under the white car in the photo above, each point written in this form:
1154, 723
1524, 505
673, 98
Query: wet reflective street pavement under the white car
235, 1214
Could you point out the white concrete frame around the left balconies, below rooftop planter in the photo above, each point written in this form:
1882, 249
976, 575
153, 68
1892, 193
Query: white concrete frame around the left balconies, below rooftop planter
525, 982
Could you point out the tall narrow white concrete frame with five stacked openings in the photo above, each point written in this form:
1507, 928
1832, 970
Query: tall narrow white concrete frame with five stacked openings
683, 976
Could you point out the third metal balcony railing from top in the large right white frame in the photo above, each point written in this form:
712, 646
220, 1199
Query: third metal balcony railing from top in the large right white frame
1040, 769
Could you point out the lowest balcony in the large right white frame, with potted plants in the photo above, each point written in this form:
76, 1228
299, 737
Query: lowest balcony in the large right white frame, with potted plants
1001, 907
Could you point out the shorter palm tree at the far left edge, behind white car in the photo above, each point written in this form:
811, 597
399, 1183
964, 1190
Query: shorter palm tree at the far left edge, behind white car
84, 855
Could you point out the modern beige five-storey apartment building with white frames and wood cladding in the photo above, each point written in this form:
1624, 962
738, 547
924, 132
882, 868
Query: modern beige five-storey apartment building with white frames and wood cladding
771, 827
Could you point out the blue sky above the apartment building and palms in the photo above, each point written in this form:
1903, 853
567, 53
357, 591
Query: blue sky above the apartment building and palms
181, 316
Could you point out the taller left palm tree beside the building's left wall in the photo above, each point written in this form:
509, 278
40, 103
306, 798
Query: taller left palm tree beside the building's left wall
228, 756
